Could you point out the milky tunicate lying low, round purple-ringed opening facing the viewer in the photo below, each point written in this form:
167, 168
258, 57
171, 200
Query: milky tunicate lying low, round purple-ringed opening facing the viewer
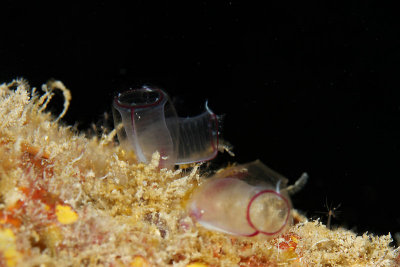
245, 200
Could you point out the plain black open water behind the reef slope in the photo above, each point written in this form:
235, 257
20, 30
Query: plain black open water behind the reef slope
304, 86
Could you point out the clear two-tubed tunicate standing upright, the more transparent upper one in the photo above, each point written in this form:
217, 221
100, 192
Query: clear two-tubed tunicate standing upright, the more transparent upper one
150, 124
